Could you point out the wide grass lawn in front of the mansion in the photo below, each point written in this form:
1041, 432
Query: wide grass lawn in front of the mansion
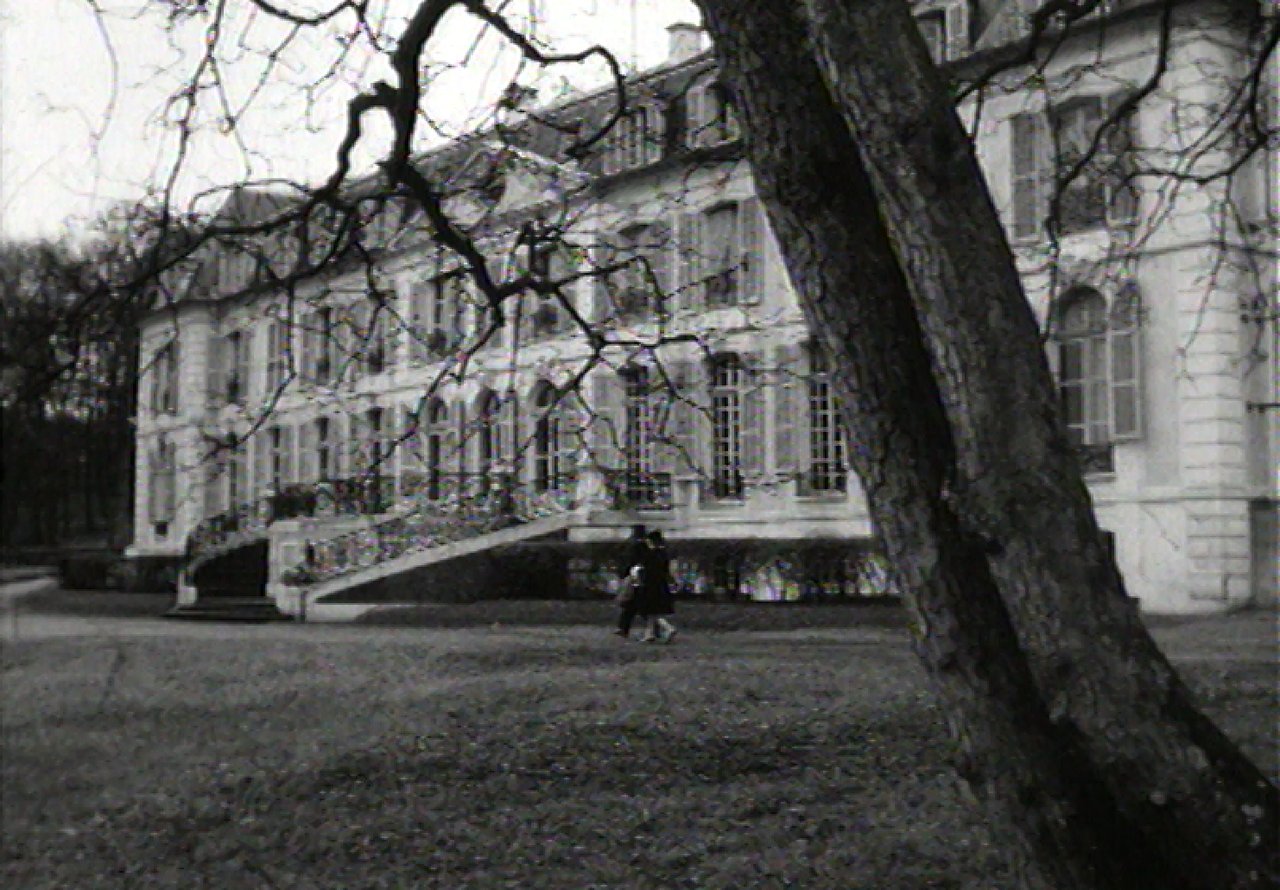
495, 757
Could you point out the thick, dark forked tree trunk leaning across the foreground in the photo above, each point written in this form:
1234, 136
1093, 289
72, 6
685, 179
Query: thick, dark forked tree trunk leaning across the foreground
1071, 724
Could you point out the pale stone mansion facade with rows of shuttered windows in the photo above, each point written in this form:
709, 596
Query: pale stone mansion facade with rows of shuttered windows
335, 417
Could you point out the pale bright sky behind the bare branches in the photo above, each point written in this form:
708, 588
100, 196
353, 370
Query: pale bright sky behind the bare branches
85, 120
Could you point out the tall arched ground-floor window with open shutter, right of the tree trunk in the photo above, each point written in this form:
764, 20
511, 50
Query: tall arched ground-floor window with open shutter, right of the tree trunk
1099, 371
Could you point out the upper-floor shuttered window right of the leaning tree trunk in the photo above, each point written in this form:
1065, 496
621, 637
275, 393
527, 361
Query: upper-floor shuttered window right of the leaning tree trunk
1100, 194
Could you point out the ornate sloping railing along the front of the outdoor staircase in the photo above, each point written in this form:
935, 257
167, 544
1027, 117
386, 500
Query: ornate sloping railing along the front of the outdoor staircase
477, 506
